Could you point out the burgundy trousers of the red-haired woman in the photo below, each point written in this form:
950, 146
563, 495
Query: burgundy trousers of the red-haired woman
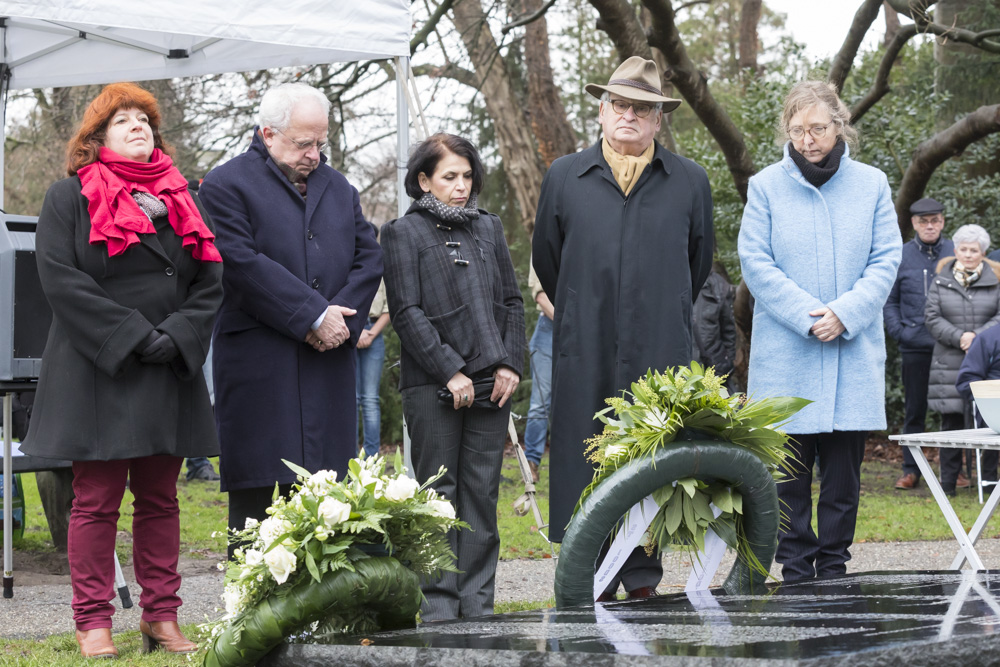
99, 487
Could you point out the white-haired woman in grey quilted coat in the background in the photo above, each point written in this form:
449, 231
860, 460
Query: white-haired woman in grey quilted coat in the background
963, 301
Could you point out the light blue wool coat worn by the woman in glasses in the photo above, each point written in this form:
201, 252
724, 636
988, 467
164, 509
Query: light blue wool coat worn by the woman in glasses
803, 248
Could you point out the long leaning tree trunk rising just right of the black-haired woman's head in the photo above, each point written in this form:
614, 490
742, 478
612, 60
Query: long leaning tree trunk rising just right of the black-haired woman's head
514, 138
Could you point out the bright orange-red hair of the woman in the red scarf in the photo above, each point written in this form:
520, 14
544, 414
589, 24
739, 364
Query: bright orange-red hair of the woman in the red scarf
85, 147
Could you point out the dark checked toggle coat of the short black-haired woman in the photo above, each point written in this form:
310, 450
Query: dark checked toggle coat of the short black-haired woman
452, 317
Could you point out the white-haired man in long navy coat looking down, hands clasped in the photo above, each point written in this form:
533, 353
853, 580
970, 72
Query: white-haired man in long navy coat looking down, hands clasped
300, 269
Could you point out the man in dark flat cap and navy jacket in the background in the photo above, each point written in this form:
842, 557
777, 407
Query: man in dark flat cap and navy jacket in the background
904, 319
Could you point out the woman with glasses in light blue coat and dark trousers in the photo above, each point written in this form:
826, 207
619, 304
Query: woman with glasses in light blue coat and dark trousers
820, 245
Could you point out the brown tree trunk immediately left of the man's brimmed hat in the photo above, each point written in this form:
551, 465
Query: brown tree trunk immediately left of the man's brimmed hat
548, 115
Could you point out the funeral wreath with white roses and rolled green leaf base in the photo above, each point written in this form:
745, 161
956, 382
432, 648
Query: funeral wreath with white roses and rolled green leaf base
334, 557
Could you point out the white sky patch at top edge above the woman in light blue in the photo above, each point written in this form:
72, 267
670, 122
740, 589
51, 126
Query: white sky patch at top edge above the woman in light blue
822, 24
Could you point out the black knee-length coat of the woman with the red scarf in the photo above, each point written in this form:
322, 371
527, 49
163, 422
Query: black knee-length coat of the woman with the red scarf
96, 401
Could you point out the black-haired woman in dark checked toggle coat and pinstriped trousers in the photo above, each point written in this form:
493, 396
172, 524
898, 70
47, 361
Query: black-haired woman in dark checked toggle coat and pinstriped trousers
455, 303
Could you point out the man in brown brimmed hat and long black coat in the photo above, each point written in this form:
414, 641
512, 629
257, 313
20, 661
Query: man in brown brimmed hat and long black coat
623, 242
